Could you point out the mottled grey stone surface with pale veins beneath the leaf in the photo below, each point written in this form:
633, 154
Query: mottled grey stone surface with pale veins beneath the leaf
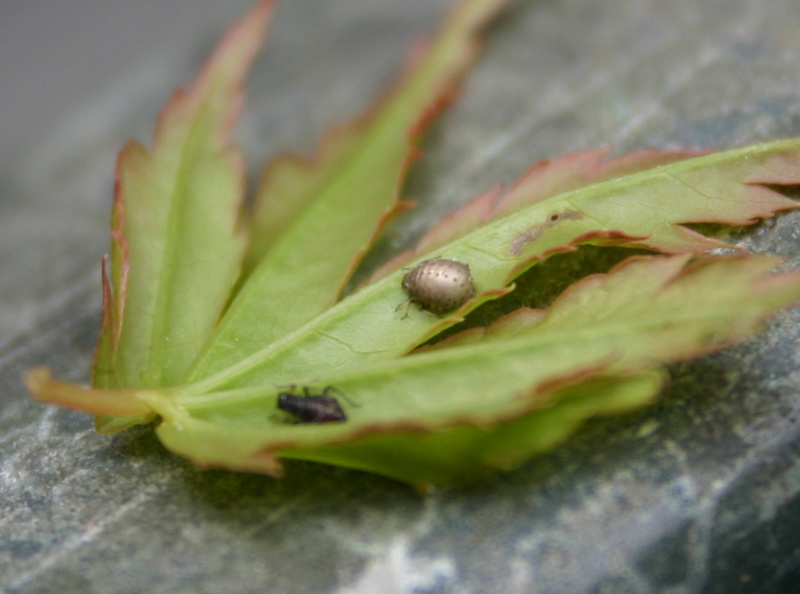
700, 493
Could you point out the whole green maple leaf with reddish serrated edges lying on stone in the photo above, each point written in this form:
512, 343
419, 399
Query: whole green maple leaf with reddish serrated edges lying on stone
205, 347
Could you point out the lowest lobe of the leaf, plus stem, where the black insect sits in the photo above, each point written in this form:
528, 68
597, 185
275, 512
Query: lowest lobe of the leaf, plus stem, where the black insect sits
480, 402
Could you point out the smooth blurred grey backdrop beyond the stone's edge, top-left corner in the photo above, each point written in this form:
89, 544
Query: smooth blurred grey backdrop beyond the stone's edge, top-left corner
57, 56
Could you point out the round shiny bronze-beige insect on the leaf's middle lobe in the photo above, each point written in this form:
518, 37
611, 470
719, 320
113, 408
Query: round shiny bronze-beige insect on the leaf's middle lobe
439, 286
